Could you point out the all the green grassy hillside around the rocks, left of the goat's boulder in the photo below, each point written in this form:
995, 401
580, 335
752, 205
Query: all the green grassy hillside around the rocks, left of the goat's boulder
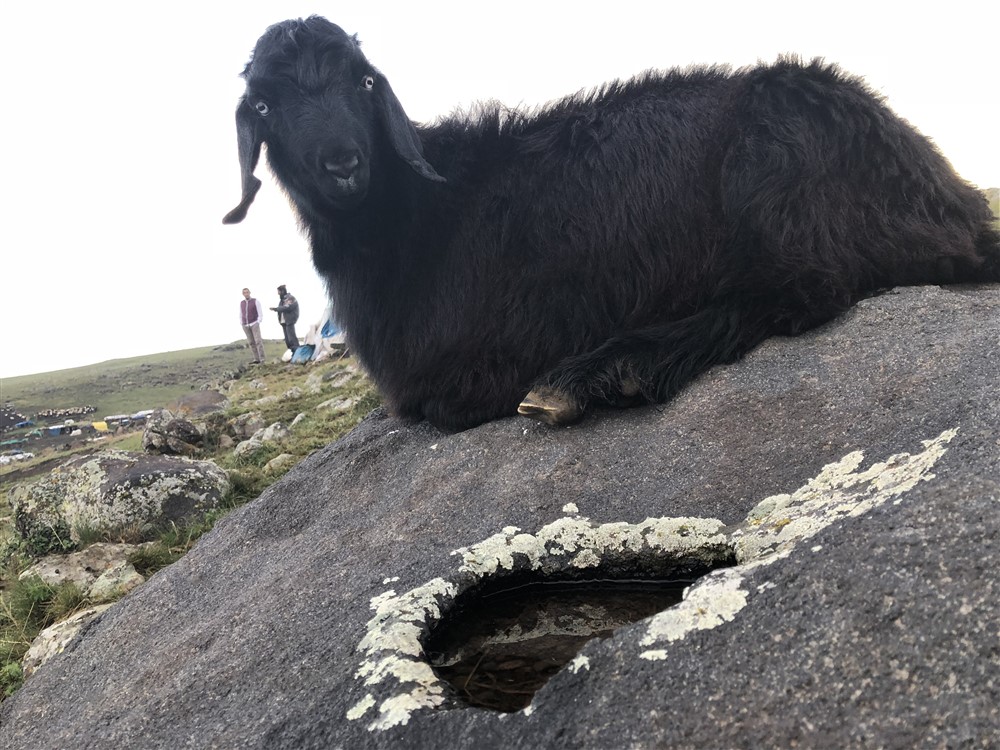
329, 398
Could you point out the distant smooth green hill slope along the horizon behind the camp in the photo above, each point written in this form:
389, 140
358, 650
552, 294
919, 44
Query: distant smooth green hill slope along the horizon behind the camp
122, 386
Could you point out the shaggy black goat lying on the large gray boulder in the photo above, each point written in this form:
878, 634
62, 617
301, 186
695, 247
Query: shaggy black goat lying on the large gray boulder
607, 248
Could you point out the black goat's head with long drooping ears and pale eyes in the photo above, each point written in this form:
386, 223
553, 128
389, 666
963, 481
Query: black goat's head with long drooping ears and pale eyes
323, 110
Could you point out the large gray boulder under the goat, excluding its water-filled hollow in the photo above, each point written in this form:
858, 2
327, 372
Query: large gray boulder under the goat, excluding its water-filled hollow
850, 474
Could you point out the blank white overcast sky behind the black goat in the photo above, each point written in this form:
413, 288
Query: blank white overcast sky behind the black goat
119, 149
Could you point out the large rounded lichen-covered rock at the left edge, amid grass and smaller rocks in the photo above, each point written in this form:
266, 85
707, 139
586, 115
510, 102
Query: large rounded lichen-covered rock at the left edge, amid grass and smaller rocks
114, 492
